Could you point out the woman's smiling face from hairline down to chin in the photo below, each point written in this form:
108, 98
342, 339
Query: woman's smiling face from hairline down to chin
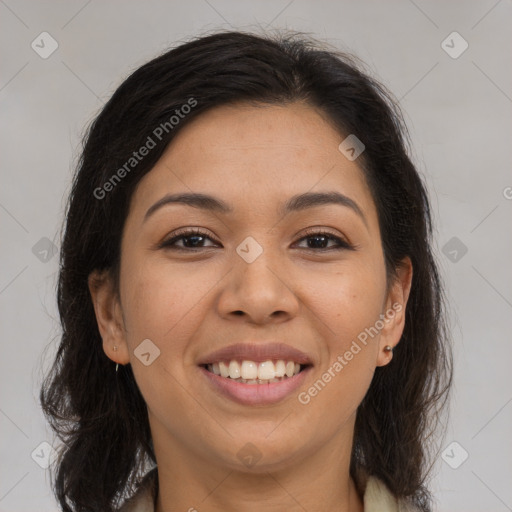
253, 277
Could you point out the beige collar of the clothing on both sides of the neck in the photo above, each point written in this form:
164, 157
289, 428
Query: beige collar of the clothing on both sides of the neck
377, 498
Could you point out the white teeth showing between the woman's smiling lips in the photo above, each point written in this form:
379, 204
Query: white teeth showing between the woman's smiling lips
251, 372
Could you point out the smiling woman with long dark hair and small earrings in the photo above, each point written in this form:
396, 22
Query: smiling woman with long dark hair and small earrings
250, 307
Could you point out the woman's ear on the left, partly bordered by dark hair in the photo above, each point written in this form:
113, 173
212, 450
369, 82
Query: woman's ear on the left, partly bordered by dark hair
109, 316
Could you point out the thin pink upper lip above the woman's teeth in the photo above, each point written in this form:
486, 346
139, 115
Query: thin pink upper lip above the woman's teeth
256, 352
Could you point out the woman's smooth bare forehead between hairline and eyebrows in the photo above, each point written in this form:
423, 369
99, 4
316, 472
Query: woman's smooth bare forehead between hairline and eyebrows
254, 158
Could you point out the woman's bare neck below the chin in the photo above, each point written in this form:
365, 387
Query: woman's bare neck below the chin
320, 481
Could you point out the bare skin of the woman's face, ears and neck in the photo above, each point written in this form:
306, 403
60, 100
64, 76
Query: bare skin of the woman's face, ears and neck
191, 303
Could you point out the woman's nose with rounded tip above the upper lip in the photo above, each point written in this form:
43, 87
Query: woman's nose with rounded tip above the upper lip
259, 292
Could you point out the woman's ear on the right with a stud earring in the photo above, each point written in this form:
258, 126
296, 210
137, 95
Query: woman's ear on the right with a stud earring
393, 316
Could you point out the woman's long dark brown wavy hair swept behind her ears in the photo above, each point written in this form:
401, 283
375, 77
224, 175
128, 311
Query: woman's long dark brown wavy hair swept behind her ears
99, 414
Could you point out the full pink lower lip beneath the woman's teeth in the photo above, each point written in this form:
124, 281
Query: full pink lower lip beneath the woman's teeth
255, 394
